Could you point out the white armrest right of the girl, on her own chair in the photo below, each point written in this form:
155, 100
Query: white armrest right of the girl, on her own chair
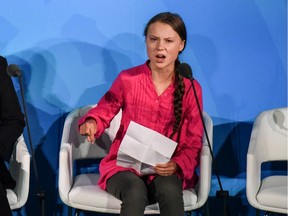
204, 176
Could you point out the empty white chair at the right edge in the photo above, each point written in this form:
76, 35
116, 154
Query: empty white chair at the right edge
268, 143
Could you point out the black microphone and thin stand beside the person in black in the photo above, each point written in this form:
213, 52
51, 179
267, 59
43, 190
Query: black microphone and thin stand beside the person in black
13, 70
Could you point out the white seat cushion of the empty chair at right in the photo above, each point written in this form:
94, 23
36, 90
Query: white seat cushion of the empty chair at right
273, 192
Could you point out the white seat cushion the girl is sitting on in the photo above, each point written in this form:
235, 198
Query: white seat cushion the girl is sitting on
86, 194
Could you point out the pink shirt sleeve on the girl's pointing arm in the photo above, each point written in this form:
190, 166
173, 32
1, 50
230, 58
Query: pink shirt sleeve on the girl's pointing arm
108, 106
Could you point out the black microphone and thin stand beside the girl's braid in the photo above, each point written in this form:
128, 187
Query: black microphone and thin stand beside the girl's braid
186, 71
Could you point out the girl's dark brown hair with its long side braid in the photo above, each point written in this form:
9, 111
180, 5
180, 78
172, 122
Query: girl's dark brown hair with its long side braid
176, 22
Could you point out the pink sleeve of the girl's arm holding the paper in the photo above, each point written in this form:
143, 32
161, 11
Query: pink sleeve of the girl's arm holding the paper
190, 137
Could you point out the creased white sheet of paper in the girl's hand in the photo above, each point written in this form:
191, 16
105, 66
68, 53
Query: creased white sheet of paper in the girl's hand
143, 148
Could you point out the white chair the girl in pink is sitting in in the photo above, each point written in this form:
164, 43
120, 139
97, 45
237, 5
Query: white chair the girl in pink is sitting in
82, 192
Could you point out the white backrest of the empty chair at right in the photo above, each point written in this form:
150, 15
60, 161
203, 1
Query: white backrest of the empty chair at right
269, 135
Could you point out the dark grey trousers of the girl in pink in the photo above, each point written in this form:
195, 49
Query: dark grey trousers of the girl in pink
136, 194
